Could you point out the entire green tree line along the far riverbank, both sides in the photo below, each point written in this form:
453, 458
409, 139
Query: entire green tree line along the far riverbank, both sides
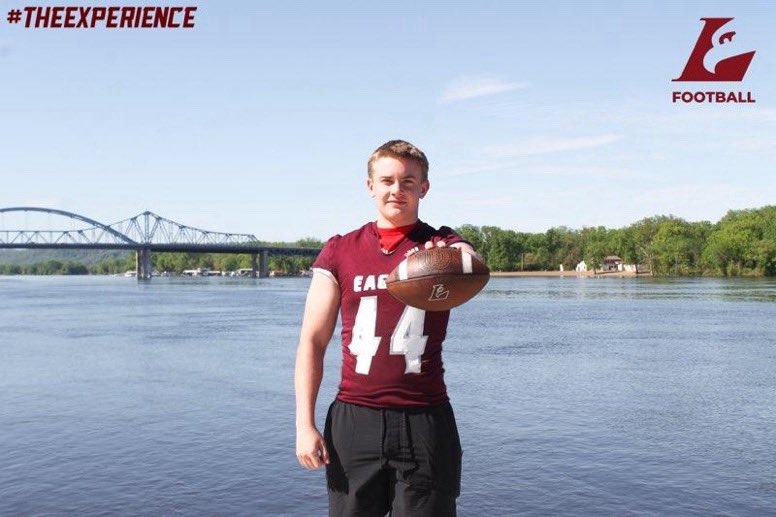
742, 243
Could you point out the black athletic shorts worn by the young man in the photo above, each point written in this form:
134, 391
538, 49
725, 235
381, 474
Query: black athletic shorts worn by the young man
406, 461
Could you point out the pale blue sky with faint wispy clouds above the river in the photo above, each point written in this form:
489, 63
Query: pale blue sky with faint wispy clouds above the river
261, 118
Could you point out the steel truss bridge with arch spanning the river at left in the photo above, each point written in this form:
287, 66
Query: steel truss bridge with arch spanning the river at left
143, 233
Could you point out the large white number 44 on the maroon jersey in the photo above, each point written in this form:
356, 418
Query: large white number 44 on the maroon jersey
407, 339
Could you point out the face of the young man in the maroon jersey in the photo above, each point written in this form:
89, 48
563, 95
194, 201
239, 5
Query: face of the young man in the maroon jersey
397, 187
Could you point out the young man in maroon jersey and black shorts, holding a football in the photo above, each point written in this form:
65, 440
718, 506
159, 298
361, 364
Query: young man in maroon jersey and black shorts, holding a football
390, 441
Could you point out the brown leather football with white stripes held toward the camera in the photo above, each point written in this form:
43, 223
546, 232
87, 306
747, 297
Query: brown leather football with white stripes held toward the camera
438, 279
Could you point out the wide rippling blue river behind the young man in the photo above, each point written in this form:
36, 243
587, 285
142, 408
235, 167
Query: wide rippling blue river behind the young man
574, 396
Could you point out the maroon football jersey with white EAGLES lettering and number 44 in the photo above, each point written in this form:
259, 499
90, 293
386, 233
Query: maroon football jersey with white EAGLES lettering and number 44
391, 352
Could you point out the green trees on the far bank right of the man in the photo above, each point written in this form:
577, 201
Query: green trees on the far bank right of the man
742, 243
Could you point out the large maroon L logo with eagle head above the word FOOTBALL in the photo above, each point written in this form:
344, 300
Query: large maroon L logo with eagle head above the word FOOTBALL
729, 69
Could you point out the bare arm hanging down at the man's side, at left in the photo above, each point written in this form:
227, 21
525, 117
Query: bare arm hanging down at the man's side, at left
320, 318
